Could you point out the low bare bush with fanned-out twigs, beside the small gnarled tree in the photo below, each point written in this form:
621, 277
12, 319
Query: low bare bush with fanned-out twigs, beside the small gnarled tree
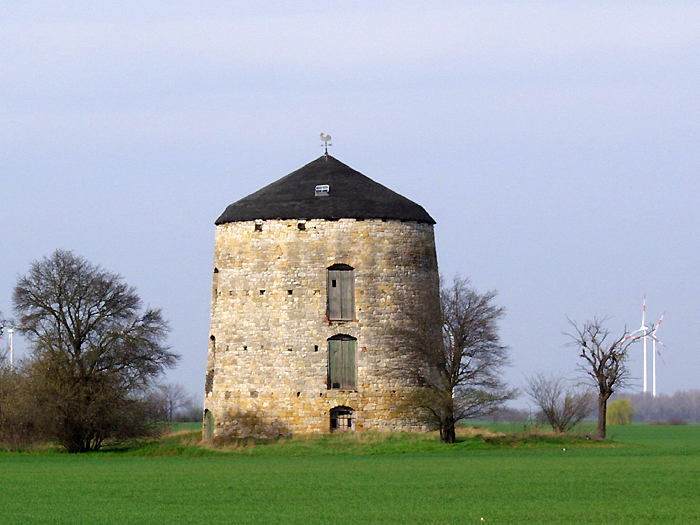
562, 405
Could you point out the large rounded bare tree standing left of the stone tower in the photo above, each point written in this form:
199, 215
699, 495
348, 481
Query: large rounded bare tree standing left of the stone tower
94, 350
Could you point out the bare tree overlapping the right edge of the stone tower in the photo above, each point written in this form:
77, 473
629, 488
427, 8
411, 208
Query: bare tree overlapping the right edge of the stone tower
455, 356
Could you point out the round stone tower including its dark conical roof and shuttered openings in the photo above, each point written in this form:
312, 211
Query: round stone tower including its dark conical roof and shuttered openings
312, 278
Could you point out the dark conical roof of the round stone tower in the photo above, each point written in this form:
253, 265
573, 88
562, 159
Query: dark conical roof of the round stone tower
351, 196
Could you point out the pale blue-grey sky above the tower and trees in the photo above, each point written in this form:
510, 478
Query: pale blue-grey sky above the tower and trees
555, 143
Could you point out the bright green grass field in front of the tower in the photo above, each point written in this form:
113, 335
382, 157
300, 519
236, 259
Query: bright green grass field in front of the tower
652, 475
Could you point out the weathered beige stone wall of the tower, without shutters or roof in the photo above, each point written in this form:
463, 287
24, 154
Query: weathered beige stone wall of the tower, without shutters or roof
268, 354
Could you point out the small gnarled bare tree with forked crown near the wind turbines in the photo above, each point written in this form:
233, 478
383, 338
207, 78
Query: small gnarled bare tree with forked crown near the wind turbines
605, 361
